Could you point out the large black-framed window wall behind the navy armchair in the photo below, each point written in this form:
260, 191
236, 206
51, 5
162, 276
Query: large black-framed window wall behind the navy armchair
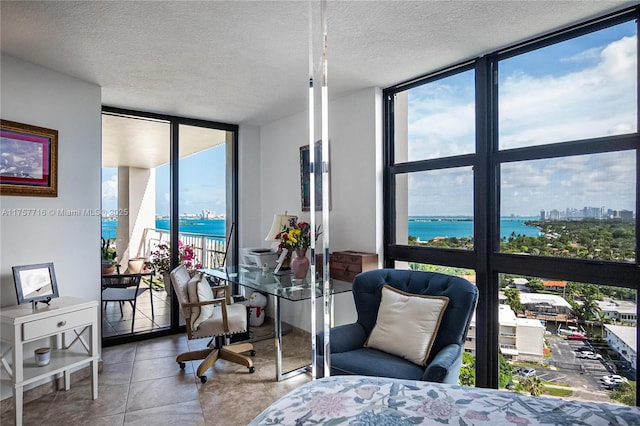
519, 170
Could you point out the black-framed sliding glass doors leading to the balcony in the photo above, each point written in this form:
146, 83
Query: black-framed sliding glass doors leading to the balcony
173, 180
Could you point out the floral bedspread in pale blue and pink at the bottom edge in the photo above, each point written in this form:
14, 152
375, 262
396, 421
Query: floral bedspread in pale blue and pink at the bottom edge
359, 400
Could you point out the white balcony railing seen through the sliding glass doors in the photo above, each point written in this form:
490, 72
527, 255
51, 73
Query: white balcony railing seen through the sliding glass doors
209, 250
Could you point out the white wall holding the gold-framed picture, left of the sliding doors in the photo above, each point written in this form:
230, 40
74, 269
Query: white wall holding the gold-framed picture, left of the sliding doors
34, 95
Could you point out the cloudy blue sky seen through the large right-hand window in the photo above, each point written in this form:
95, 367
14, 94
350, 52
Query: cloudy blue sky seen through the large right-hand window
580, 88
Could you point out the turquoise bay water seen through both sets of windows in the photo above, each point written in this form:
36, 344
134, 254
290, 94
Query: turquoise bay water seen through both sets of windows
424, 227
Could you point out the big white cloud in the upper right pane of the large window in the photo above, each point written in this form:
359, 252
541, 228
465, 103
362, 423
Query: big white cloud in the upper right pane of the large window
594, 102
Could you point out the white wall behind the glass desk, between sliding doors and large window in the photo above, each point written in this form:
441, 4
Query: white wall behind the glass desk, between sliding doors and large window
355, 173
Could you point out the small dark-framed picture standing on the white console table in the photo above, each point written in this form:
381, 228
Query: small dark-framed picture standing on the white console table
35, 283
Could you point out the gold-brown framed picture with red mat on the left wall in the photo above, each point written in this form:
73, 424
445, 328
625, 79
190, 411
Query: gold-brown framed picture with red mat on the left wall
29, 161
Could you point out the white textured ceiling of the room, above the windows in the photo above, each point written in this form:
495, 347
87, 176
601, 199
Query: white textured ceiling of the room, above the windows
247, 61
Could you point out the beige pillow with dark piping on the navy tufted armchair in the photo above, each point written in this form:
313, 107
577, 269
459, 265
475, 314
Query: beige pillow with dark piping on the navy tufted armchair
407, 324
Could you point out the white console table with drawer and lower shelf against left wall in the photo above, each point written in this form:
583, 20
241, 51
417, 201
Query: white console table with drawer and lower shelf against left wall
64, 317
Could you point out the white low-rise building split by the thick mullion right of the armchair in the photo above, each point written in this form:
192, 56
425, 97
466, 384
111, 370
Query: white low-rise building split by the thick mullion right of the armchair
520, 339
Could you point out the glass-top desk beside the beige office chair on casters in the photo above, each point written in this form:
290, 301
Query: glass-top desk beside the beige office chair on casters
281, 287
